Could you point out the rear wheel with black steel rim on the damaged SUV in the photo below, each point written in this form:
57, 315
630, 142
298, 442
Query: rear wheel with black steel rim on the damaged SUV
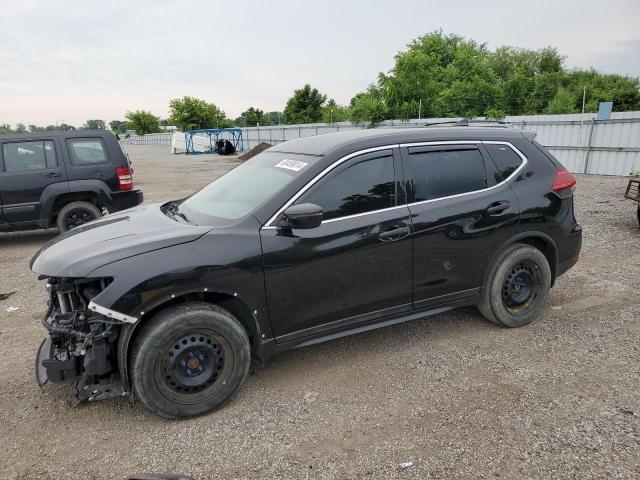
516, 286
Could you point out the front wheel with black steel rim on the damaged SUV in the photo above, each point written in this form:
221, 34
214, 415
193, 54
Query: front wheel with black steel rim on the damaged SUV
189, 359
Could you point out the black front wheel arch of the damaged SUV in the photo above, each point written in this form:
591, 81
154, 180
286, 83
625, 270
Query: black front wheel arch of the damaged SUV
239, 308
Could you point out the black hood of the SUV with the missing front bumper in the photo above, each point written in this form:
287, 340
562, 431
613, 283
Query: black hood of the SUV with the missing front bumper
80, 251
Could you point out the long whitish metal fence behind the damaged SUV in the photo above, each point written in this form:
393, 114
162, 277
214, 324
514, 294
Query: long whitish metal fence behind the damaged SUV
582, 144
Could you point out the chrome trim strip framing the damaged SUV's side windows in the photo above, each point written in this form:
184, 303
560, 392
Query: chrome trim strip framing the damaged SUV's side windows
315, 179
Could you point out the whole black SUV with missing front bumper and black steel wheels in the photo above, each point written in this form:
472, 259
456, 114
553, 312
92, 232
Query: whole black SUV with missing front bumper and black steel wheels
311, 240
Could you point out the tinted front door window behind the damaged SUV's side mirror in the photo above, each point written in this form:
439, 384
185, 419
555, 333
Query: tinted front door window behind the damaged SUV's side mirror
362, 187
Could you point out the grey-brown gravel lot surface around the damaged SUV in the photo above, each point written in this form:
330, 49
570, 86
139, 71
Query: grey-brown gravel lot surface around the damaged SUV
454, 394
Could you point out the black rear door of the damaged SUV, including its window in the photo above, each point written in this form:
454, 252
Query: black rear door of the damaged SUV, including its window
462, 211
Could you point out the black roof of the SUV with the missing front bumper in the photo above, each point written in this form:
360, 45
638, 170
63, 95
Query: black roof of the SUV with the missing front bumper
373, 137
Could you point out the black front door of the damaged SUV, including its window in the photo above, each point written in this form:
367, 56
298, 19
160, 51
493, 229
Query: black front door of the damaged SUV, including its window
354, 267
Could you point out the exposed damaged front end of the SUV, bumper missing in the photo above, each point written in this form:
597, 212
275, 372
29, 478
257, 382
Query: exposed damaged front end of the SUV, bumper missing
81, 346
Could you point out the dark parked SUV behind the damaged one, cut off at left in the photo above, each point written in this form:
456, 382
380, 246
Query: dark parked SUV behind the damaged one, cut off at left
62, 179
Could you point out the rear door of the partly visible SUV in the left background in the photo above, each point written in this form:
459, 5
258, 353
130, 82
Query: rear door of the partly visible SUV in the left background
28, 167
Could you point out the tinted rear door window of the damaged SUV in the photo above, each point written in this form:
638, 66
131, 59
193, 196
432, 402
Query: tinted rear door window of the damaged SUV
447, 172
